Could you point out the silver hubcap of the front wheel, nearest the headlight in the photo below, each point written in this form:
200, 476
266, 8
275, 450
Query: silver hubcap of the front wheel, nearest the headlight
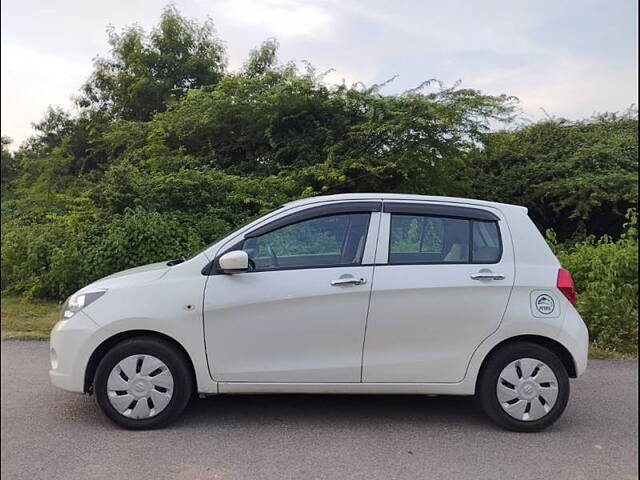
140, 386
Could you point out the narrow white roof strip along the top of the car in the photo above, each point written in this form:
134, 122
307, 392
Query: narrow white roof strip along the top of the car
398, 197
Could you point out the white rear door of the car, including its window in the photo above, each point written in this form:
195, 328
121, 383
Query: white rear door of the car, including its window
443, 278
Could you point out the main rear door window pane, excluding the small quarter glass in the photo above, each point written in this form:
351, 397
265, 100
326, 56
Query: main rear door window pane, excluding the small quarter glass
424, 239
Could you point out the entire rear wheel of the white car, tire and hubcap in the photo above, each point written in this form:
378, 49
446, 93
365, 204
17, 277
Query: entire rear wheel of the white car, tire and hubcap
523, 387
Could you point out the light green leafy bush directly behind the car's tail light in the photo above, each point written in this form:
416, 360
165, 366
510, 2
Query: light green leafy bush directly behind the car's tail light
606, 276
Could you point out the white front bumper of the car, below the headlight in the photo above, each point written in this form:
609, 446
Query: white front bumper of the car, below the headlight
71, 344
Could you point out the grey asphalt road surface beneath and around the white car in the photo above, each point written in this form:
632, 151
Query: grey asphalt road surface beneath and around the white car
47, 433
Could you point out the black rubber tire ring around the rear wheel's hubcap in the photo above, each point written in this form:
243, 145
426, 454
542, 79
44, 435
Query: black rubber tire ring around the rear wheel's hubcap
488, 379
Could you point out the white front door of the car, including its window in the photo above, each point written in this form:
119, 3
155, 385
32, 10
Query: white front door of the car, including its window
299, 314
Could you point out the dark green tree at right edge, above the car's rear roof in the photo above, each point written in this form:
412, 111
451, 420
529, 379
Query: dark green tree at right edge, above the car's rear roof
578, 178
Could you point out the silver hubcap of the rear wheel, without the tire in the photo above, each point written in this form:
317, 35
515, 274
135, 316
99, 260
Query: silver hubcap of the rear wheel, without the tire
527, 389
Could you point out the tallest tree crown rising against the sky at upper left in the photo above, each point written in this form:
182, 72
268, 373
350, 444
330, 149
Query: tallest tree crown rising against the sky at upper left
145, 72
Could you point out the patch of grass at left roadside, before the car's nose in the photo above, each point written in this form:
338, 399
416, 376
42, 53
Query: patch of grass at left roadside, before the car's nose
26, 319
